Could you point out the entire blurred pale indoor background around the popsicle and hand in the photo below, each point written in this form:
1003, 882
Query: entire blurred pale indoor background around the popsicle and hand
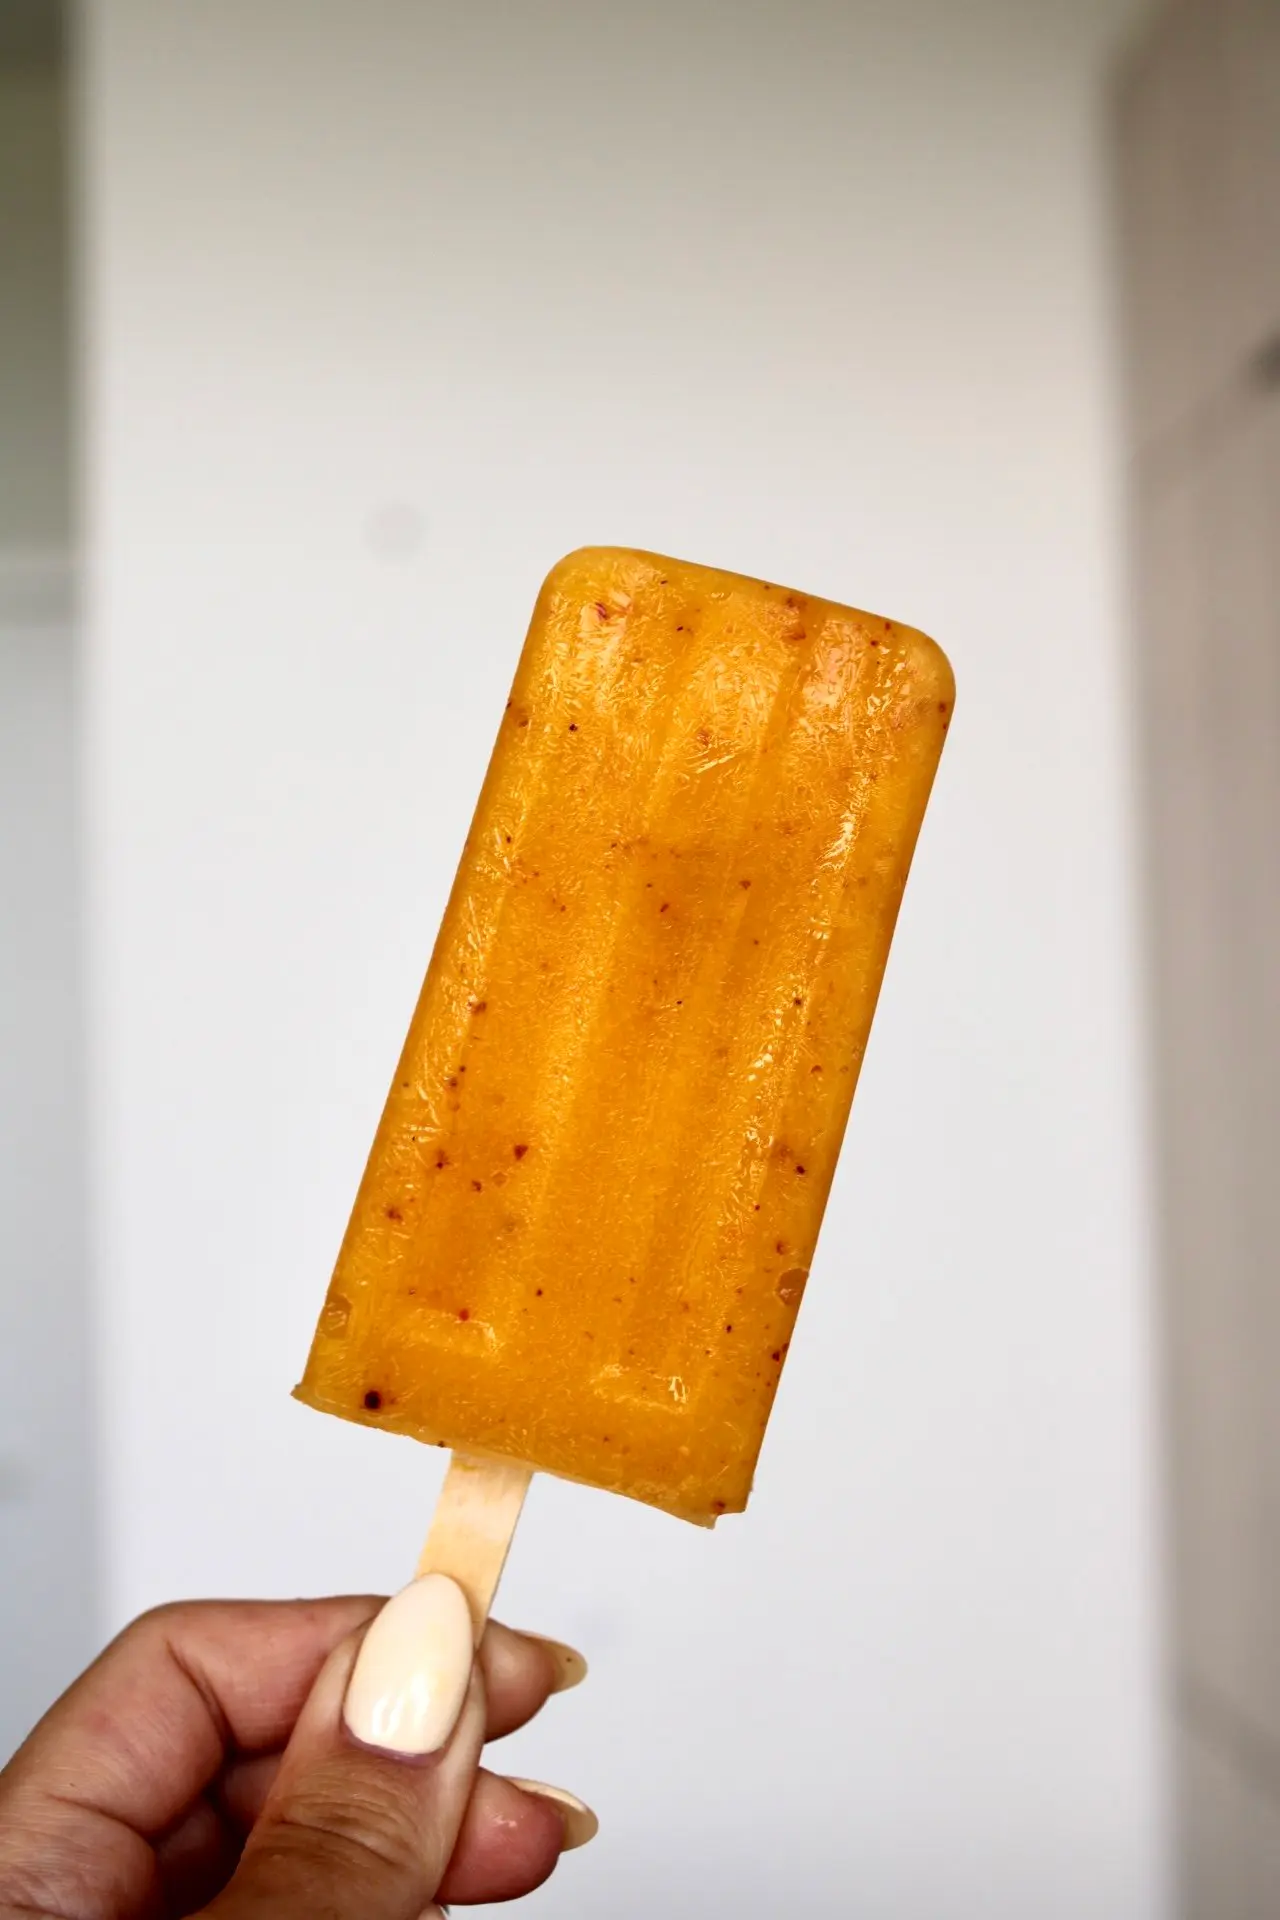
325, 327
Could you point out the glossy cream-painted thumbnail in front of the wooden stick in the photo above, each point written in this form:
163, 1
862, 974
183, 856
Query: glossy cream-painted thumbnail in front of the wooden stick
412, 1675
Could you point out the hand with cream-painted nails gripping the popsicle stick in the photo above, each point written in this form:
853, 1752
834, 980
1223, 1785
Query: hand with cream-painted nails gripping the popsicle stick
206, 1762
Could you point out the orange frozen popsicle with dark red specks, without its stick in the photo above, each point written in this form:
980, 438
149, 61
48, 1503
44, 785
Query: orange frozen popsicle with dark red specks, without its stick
594, 1199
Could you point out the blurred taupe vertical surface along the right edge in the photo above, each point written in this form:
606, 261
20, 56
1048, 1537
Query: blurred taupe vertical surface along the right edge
1200, 241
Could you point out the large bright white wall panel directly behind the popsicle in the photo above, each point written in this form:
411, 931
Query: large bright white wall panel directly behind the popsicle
391, 304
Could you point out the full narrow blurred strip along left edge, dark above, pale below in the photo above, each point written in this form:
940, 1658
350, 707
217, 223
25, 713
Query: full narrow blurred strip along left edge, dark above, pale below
47, 1529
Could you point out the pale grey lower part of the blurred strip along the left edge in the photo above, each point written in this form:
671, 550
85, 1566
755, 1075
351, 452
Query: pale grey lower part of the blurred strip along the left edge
49, 1598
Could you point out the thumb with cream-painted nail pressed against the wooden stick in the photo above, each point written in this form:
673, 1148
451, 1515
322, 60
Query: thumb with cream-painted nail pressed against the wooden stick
373, 1787
